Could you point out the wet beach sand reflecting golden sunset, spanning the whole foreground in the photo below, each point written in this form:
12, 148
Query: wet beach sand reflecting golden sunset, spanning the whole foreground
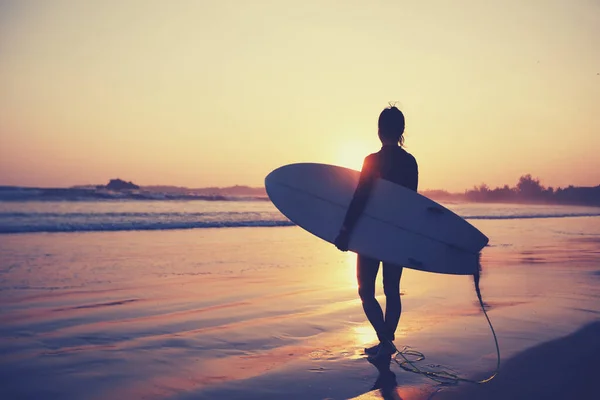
271, 313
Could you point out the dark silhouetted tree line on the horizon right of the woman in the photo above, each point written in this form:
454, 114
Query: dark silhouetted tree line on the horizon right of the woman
527, 190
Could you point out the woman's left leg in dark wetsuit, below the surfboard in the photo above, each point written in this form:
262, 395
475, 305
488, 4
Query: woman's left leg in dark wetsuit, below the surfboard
366, 272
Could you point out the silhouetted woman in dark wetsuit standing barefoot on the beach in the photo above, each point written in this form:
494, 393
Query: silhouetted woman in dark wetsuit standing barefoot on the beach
394, 164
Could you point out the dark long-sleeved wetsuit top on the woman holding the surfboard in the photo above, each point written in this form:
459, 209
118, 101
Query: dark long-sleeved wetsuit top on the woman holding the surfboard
391, 163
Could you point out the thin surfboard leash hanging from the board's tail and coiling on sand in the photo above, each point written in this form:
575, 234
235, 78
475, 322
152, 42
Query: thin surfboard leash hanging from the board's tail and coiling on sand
446, 377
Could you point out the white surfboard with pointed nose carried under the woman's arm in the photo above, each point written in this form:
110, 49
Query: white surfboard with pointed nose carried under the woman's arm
398, 225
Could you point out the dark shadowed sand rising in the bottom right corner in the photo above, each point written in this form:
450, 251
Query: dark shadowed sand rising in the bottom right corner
564, 368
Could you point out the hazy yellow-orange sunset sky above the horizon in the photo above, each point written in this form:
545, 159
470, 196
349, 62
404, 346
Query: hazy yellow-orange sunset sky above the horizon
218, 93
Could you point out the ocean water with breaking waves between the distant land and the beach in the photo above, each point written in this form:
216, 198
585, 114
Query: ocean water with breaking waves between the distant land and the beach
126, 215
